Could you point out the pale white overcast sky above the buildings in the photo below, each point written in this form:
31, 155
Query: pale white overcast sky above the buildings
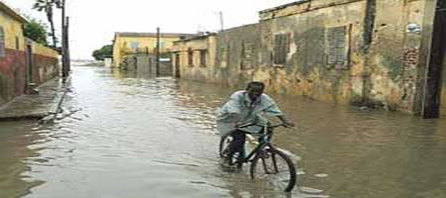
93, 22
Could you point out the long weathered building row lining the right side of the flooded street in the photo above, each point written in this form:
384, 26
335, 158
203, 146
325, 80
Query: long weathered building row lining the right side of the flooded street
364, 52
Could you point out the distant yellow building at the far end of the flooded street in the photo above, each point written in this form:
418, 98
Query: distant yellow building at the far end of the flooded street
128, 43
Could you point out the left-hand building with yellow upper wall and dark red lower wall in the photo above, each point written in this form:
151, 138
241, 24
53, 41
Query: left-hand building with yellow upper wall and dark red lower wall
22, 61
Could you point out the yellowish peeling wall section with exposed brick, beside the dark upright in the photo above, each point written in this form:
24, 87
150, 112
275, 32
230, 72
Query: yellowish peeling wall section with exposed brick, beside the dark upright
392, 61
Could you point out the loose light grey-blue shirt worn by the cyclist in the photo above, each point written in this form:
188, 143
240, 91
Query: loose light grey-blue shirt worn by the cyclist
240, 109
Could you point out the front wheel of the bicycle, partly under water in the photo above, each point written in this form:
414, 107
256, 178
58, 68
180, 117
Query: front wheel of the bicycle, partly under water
276, 167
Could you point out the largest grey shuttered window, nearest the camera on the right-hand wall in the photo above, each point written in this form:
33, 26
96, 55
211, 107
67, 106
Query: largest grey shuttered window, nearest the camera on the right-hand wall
337, 46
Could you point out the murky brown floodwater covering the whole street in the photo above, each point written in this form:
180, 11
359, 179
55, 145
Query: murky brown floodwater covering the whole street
126, 137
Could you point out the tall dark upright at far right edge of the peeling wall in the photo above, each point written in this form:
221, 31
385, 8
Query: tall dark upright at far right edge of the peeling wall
432, 97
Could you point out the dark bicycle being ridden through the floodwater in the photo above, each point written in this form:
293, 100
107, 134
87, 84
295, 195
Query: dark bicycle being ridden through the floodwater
273, 162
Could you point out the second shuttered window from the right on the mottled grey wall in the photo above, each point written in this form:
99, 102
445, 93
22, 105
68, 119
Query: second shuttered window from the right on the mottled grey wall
281, 48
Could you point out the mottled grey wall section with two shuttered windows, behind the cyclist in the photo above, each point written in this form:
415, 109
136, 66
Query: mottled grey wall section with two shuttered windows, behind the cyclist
305, 71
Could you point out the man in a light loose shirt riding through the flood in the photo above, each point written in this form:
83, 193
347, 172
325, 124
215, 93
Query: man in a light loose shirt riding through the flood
247, 106
